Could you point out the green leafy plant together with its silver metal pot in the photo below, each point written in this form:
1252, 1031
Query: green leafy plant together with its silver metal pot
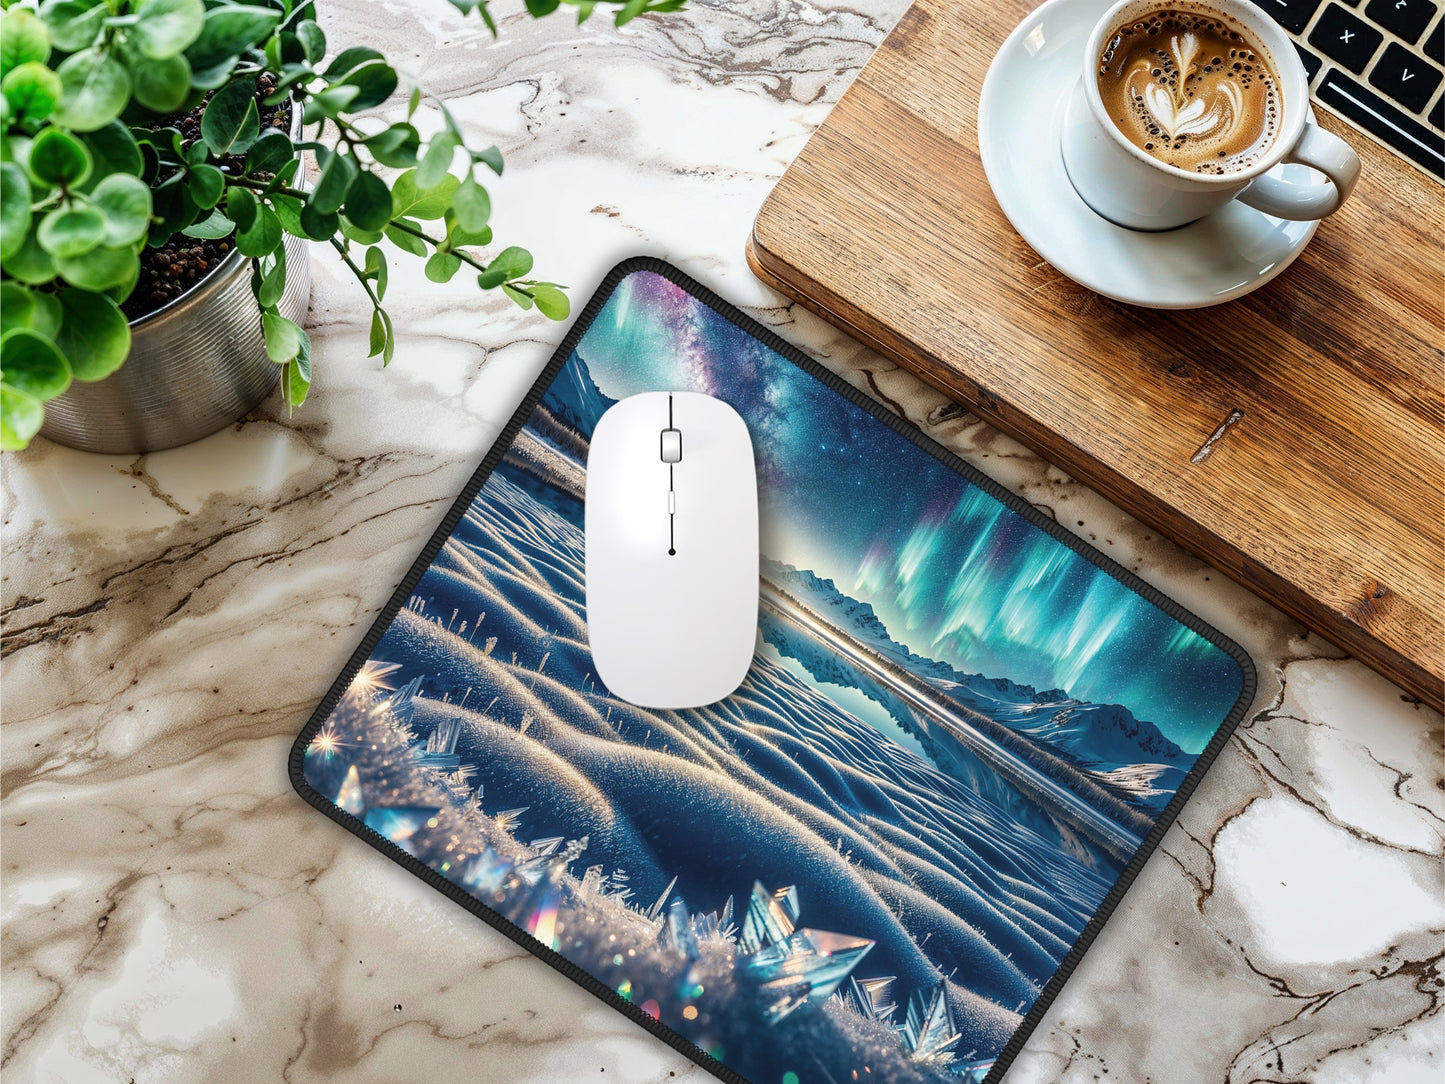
155, 222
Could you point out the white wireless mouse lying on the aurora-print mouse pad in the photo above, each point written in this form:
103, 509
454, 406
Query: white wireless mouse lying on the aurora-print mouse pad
671, 521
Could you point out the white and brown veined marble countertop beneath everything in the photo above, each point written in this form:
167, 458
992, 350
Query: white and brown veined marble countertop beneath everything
174, 913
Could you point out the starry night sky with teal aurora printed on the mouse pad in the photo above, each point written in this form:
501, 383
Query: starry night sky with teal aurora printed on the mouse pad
953, 573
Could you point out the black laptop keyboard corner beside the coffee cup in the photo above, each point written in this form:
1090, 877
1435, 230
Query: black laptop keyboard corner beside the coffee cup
1378, 64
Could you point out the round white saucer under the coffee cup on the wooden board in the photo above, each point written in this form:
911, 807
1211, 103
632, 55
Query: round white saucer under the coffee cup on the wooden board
1222, 257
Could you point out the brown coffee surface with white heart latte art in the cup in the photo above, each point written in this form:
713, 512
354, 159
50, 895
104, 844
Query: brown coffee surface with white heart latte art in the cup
1191, 90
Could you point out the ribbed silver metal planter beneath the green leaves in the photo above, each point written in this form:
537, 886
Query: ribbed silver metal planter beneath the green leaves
196, 366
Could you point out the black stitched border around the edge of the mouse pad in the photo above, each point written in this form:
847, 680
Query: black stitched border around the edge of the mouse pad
904, 429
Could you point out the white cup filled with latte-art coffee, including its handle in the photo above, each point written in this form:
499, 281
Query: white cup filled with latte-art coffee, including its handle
1139, 189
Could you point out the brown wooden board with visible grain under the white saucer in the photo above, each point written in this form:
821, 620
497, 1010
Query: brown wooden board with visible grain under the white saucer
1326, 491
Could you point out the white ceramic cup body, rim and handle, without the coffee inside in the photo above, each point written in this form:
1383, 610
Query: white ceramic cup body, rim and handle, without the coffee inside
1132, 189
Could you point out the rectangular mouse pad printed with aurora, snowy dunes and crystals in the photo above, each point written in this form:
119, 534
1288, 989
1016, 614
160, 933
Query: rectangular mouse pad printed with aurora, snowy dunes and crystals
962, 735
